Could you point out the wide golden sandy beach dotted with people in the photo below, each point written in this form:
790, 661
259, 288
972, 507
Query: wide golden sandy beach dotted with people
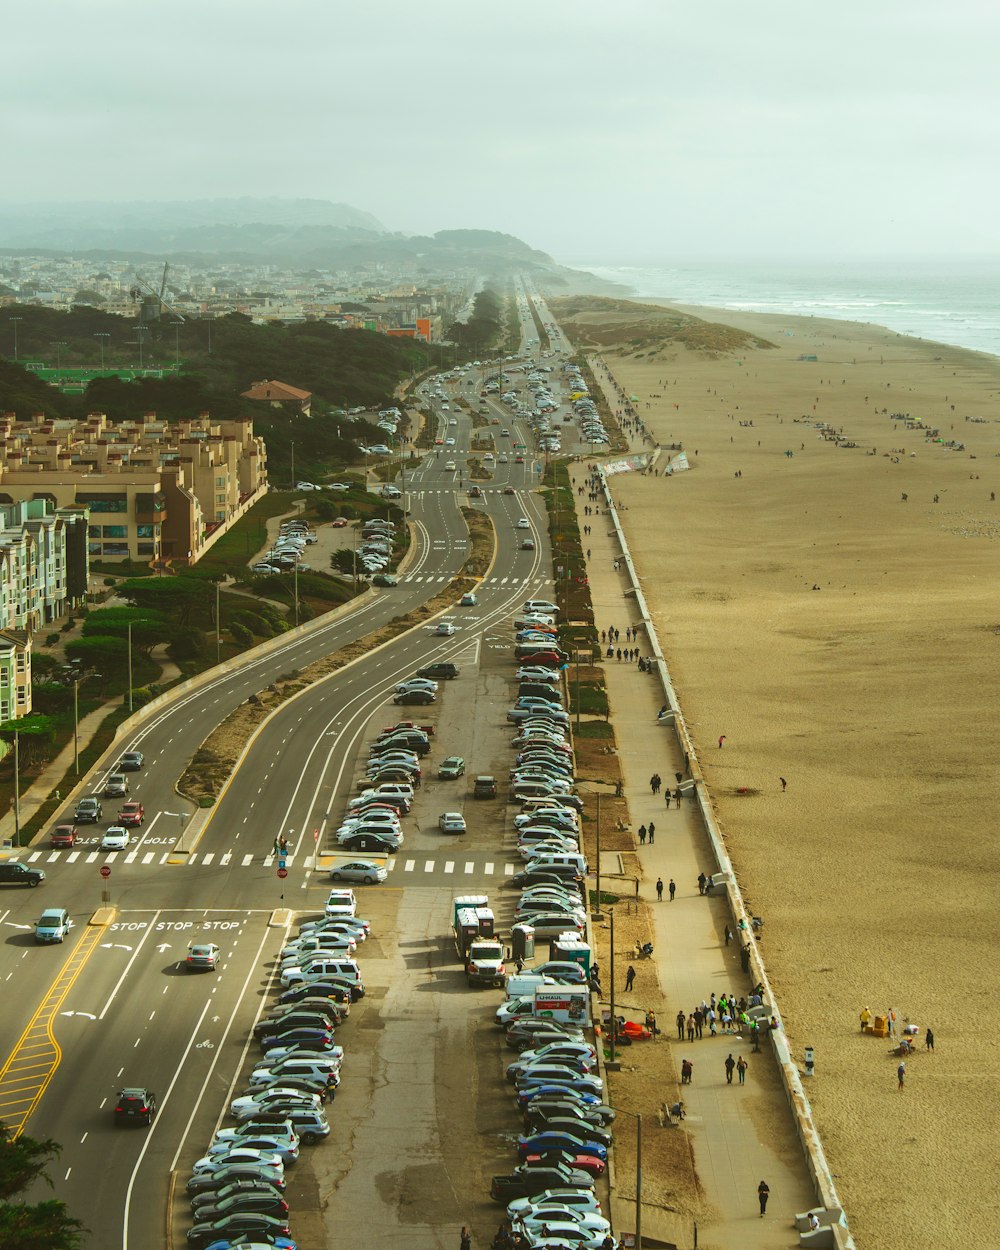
836, 613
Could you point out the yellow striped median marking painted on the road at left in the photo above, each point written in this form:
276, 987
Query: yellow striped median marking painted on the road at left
37, 1056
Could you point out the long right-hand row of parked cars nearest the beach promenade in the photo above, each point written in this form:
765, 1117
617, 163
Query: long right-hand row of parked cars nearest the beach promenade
566, 1136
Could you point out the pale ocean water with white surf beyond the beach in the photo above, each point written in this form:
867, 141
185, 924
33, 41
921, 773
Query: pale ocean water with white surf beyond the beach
957, 304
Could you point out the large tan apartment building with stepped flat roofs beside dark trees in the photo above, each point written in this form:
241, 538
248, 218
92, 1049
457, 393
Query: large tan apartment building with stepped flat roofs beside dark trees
154, 491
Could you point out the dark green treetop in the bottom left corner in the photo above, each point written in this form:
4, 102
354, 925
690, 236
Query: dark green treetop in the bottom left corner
32, 1227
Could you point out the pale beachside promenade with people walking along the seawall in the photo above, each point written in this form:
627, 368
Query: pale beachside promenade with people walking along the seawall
739, 1136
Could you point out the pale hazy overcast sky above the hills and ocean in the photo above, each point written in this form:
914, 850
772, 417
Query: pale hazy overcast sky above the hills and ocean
631, 131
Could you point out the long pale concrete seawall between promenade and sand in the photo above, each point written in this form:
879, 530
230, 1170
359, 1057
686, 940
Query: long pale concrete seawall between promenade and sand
794, 1092
